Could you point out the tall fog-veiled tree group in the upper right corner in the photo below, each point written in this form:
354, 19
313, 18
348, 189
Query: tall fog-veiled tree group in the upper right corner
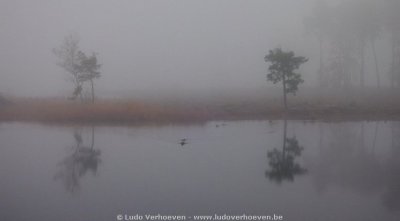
345, 32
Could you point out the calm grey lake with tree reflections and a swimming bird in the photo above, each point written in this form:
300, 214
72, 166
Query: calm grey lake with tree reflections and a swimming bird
296, 169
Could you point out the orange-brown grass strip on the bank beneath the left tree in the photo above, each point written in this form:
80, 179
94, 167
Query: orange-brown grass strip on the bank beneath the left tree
101, 111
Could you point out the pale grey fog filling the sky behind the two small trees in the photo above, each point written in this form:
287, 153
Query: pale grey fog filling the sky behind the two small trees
159, 46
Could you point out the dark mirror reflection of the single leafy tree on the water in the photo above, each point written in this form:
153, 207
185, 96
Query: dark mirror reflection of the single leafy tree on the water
282, 162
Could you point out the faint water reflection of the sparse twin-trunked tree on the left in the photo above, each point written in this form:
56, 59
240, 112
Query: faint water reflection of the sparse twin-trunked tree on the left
77, 164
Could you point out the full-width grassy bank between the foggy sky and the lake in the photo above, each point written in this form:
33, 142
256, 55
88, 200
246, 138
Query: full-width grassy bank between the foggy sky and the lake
365, 106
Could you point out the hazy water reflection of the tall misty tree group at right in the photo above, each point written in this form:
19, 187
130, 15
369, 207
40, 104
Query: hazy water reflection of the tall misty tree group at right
351, 160
